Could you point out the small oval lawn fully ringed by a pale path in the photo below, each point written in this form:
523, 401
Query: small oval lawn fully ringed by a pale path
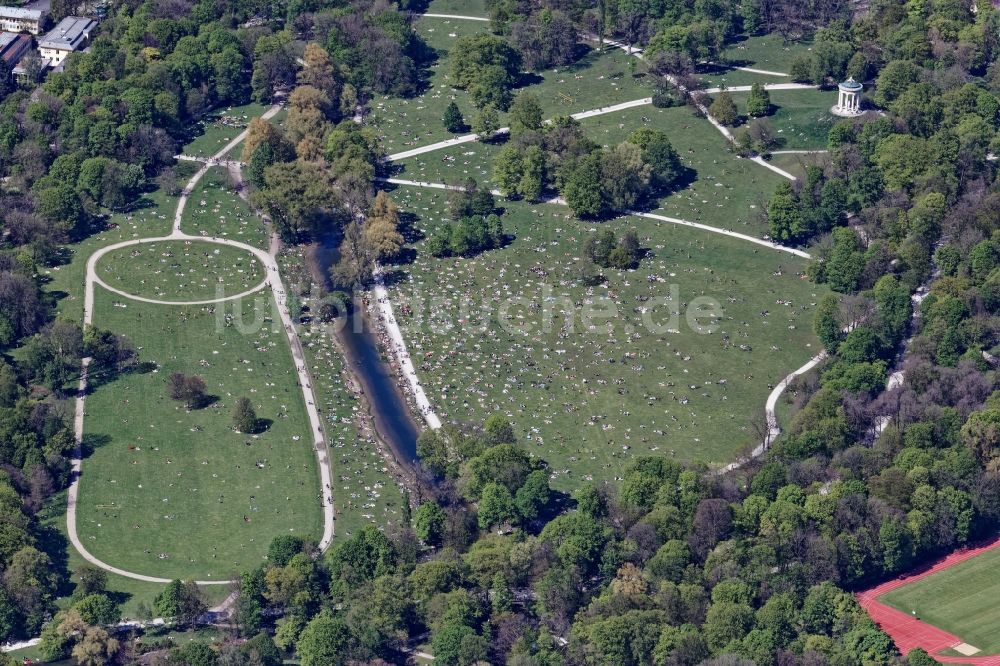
178, 270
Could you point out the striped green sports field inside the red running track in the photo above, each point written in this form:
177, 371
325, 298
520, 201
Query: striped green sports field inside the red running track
961, 600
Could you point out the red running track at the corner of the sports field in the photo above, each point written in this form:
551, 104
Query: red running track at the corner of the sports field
907, 631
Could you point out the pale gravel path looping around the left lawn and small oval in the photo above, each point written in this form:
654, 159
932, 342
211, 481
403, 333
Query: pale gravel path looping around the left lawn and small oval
273, 280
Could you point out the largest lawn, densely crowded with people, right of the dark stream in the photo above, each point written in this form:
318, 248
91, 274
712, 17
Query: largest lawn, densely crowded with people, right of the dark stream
595, 397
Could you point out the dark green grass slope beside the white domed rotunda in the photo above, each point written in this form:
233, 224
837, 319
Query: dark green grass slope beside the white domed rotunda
801, 118
